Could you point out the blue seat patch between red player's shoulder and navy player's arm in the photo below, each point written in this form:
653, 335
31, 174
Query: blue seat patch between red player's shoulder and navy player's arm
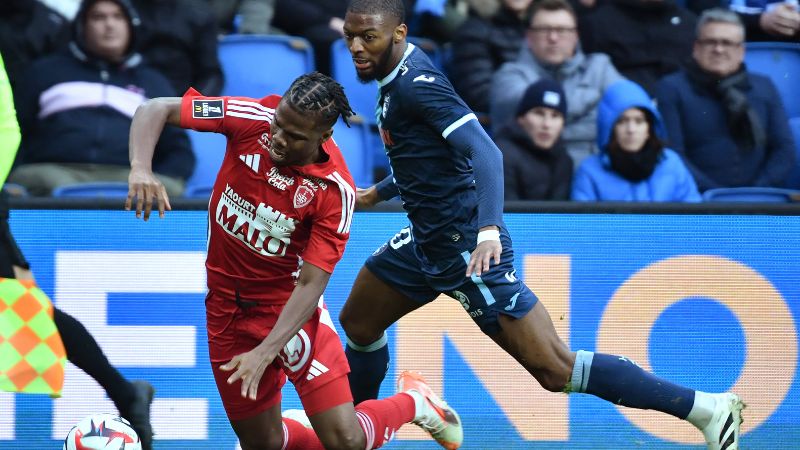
356, 146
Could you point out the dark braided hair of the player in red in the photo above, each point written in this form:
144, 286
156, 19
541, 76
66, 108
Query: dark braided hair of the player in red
321, 96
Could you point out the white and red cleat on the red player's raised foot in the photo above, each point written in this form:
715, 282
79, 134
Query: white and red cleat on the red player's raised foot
432, 413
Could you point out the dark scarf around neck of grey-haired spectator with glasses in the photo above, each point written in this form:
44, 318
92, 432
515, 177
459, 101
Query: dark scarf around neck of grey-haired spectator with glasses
743, 122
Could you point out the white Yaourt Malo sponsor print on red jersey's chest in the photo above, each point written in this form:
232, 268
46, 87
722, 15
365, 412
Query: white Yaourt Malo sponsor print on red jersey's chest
263, 229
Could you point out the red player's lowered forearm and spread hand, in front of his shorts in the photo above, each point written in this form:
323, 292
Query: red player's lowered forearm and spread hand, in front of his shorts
249, 367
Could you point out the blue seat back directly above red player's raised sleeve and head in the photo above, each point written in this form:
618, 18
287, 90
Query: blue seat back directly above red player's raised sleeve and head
260, 65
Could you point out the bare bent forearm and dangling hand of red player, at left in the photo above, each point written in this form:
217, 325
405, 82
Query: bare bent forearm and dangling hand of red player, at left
148, 123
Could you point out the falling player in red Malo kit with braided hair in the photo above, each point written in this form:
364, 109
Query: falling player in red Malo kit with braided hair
279, 217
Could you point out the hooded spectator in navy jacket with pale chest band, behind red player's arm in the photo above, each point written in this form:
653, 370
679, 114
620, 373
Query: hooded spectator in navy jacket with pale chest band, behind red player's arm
75, 107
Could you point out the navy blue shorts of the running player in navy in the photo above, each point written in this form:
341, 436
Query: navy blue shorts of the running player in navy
400, 264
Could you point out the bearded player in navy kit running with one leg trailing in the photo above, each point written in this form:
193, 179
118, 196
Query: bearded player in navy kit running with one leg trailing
448, 173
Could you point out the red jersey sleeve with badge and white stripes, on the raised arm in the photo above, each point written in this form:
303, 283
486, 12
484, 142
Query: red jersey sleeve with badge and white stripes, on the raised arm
232, 116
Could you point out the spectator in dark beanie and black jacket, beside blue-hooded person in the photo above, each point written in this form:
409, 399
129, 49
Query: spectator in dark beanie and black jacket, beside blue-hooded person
535, 163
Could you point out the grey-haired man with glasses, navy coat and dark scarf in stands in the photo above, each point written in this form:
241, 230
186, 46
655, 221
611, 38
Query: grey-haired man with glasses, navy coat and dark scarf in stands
728, 124
